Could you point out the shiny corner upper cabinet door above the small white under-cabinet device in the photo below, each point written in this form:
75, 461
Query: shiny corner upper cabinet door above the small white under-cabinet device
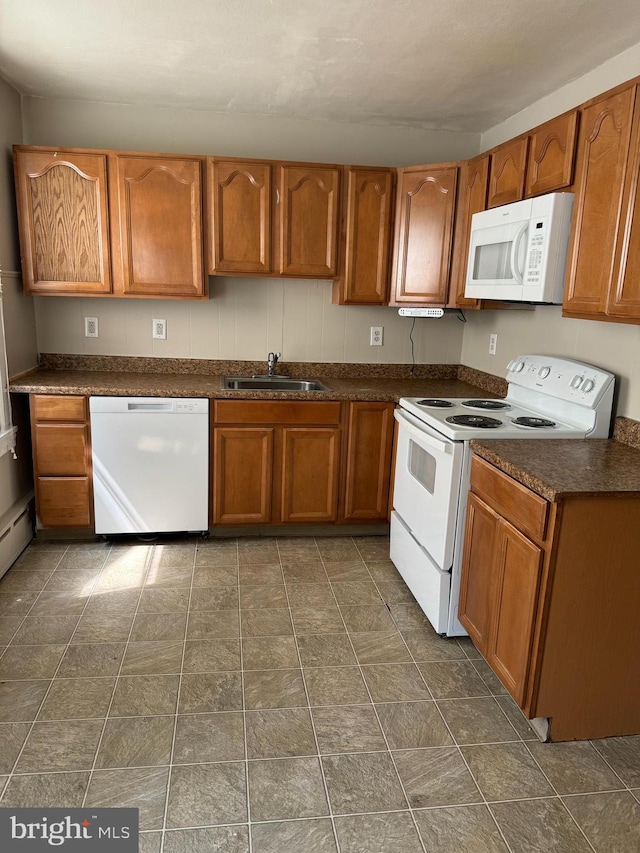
424, 231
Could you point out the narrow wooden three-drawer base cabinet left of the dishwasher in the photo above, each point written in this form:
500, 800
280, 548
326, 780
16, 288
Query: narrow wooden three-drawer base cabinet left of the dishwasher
61, 461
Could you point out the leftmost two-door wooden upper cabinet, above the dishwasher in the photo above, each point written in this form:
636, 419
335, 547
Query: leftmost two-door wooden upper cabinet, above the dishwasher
109, 223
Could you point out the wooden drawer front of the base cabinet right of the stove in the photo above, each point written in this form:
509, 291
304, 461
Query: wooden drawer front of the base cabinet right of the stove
522, 507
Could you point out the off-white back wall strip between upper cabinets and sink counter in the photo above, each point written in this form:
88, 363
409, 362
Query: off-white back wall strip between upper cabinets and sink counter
246, 318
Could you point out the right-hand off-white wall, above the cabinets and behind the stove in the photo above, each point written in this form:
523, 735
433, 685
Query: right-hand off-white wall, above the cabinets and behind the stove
614, 346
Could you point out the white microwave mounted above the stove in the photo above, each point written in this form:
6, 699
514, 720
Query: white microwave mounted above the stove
518, 252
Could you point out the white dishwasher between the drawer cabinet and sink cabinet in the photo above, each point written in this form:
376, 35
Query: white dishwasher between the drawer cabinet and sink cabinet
150, 464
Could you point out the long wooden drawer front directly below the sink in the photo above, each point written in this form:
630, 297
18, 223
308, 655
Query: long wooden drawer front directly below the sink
275, 412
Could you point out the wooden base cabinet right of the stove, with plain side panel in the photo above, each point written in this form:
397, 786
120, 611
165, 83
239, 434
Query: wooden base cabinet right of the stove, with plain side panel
550, 595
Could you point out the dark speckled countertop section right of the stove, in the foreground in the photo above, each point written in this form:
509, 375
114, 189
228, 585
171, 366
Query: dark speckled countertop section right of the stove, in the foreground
555, 468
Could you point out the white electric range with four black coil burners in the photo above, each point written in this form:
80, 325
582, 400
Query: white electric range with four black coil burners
547, 397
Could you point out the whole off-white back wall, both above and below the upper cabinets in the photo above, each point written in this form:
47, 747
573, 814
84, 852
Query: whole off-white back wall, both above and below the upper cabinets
245, 318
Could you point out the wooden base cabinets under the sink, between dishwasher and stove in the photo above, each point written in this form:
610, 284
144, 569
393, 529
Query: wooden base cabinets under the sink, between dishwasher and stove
286, 462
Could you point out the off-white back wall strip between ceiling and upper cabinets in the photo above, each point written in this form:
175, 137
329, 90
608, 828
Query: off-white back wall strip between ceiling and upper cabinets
84, 124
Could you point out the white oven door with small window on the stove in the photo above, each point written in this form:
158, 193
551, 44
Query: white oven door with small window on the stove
427, 485
